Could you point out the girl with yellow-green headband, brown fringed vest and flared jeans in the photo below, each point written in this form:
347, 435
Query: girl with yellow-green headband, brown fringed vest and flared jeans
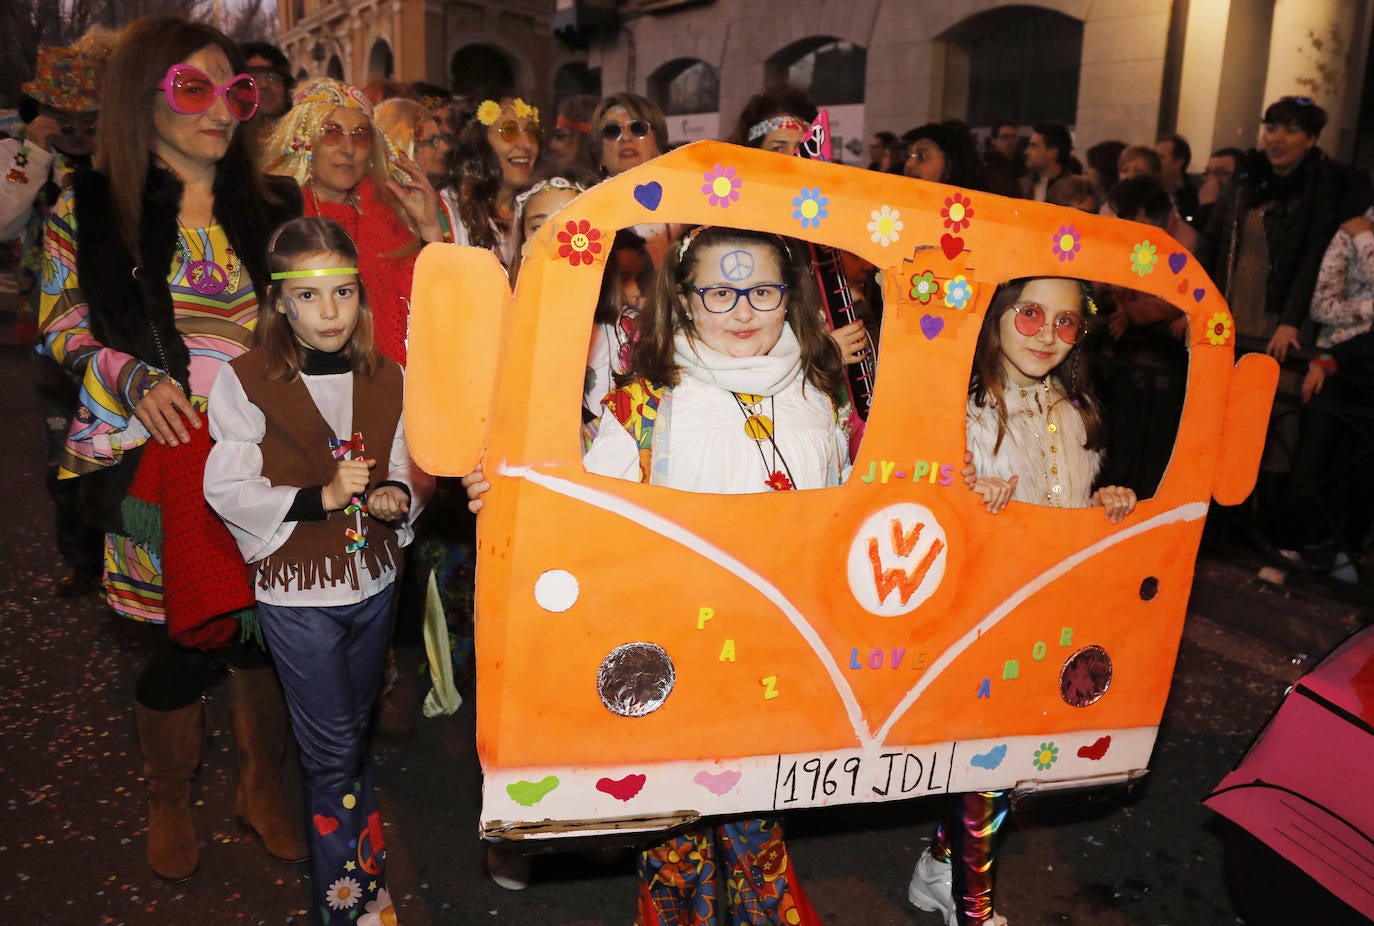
302, 424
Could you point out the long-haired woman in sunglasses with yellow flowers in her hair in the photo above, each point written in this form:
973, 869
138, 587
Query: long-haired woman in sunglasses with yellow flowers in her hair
497, 153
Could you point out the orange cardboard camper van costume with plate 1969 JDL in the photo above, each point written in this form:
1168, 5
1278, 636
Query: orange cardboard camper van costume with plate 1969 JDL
649, 656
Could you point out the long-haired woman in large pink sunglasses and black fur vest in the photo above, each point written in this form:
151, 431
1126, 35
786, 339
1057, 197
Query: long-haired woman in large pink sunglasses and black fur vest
156, 262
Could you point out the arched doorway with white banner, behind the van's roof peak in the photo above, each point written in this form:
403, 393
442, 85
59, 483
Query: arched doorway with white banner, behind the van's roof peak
832, 72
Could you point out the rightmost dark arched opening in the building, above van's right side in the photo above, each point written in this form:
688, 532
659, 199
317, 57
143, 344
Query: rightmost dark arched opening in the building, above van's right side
1016, 64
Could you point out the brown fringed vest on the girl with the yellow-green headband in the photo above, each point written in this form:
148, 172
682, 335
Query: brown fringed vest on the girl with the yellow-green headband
296, 451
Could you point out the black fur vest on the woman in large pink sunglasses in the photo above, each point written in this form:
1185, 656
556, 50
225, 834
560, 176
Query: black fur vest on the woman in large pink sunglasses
128, 296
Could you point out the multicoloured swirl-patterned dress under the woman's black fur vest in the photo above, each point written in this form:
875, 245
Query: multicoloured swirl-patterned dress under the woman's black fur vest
216, 329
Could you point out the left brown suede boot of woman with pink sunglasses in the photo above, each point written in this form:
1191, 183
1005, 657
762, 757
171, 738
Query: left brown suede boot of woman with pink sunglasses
171, 752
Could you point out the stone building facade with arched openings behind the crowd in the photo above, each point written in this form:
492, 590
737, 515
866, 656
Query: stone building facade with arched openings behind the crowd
1130, 69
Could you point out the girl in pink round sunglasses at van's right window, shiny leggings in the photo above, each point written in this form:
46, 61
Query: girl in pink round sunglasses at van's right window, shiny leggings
1035, 433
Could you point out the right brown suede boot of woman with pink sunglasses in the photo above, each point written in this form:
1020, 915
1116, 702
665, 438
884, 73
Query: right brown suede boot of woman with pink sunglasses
260, 725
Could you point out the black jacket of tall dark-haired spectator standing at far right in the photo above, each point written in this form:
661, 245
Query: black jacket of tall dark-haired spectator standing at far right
1305, 211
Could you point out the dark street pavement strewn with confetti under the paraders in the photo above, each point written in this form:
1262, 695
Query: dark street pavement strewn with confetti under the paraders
74, 836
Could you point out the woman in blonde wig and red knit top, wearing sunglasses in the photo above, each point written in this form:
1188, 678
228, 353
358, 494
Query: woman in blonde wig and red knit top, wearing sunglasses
351, 172
